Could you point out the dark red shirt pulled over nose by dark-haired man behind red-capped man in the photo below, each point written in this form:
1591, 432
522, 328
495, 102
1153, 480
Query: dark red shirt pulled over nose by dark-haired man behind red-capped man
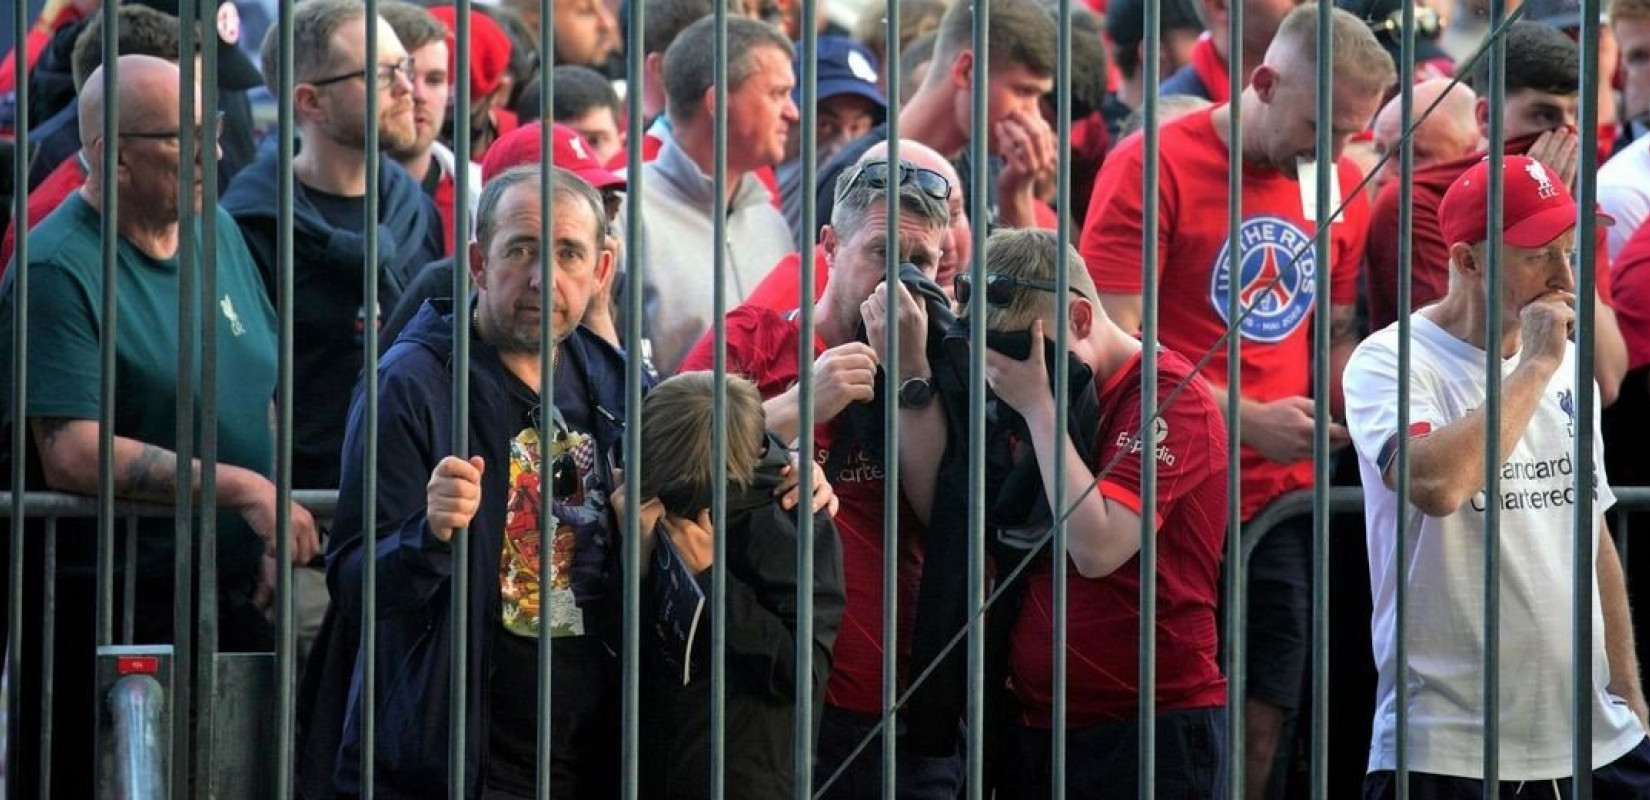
1430, 271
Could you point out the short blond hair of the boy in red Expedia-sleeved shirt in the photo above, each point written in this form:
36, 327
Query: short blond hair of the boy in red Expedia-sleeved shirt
1030, 253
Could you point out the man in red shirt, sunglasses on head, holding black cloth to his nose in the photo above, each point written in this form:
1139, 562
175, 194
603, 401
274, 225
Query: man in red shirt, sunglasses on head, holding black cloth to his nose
765, 346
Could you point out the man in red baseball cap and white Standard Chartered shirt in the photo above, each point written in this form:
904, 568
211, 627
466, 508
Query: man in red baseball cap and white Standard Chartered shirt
1537, 496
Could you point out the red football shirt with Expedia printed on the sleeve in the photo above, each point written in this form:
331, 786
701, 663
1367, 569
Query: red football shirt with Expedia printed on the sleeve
1103, 641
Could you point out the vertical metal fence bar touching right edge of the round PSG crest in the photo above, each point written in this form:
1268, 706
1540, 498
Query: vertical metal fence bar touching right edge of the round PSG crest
1327, 171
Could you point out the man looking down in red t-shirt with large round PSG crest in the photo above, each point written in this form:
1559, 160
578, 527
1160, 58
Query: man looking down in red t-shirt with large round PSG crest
1278, 291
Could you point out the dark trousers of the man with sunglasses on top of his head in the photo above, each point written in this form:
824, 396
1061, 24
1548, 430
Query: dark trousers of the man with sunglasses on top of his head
920, 778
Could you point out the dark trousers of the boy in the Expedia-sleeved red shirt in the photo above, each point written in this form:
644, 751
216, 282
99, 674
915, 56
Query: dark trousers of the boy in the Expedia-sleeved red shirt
1103, 761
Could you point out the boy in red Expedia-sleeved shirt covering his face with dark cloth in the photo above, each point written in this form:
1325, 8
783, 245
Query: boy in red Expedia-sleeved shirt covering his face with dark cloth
1189, 443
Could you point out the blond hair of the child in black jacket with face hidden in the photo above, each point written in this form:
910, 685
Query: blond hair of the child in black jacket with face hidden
677, 443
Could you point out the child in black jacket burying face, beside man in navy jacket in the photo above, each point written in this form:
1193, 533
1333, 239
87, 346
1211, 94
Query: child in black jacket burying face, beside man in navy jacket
761, 631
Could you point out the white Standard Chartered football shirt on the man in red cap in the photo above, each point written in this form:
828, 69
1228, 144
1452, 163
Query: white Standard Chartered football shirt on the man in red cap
1445, 573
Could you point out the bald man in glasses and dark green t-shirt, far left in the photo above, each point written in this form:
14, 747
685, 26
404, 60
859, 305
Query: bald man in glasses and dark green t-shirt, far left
62, 413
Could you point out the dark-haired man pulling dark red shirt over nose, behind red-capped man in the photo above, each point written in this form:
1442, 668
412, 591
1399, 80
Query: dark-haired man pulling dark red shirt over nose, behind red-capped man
1544, 85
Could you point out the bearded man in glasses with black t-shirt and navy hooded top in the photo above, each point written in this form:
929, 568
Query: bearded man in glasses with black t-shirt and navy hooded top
329, 243
